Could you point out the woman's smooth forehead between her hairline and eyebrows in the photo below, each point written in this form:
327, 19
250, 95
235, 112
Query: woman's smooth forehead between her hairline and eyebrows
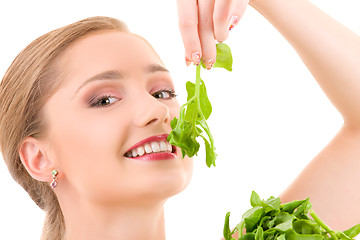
108, 50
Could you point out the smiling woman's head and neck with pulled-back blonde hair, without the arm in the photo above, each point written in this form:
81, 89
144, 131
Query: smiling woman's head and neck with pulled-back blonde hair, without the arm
85, 113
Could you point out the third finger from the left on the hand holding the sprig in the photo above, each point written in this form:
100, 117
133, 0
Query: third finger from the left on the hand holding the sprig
222, 10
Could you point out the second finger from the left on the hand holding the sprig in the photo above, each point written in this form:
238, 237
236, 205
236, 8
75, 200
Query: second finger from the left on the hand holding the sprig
206, 32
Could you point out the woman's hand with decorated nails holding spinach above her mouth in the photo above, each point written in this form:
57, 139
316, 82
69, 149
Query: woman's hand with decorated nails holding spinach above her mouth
204, 21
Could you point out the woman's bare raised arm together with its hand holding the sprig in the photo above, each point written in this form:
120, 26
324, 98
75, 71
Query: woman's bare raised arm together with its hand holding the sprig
331, 52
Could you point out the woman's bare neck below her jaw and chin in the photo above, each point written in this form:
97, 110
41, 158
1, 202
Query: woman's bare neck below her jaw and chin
86, 221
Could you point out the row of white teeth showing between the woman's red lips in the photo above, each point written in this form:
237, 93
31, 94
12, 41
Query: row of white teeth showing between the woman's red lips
161, 146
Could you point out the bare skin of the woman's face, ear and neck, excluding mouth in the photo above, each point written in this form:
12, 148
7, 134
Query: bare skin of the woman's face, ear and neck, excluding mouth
102, 193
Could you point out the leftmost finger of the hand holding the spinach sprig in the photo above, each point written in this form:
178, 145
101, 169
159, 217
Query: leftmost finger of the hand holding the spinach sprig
188, 24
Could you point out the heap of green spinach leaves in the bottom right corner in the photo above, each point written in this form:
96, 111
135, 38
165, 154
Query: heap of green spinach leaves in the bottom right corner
272, 220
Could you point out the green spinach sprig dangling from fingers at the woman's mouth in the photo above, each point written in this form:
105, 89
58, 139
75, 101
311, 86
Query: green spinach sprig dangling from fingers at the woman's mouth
194, 113
